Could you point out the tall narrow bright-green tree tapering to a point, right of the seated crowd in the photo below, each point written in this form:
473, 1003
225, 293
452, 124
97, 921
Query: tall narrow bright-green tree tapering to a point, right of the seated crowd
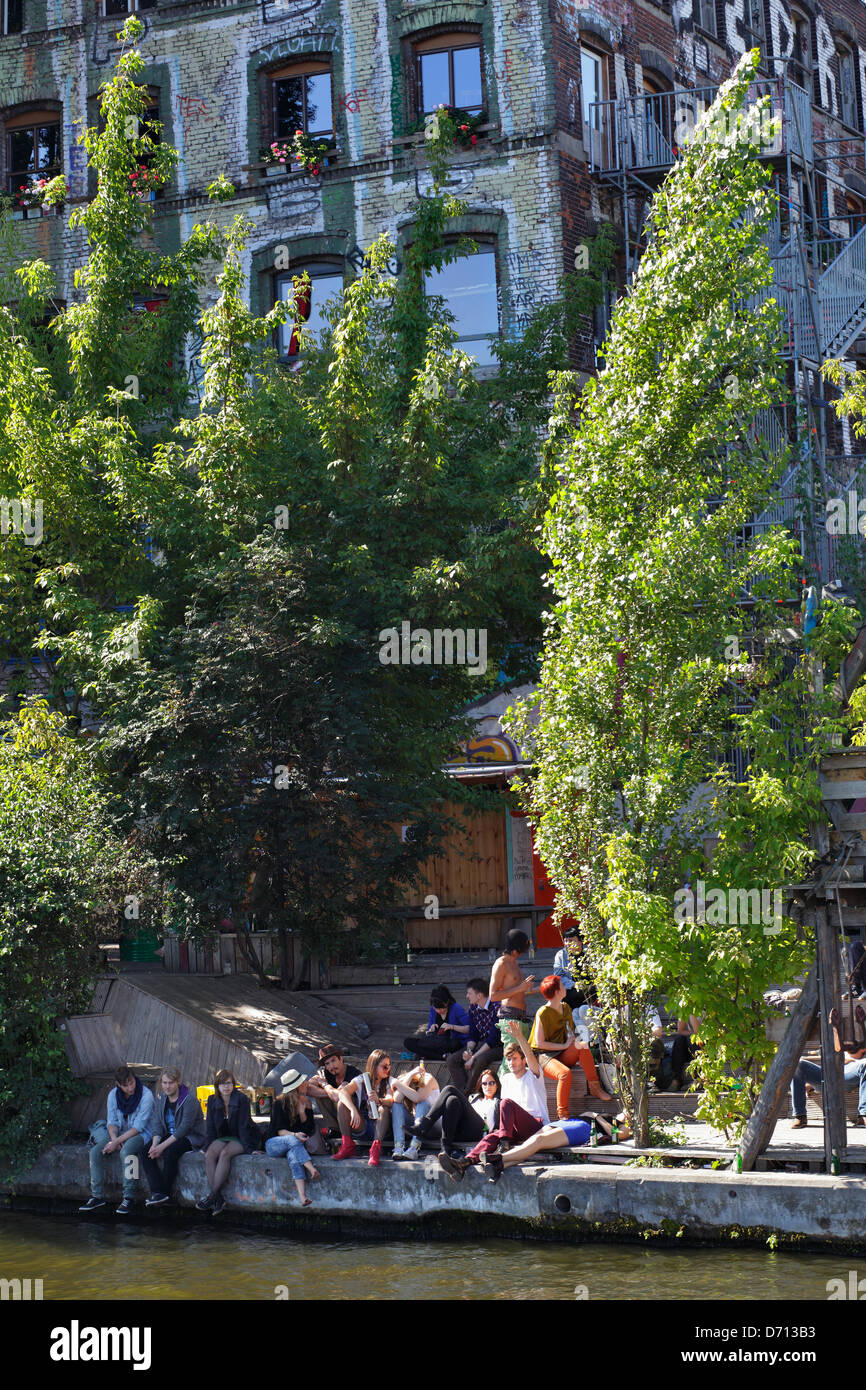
668, 619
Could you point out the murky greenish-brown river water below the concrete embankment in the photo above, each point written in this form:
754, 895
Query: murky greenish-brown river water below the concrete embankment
124, 1261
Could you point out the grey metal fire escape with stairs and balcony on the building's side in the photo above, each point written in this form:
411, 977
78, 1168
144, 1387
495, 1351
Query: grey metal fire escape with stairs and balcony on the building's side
819, 268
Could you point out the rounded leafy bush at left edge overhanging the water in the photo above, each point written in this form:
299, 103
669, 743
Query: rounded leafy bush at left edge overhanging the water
65, 878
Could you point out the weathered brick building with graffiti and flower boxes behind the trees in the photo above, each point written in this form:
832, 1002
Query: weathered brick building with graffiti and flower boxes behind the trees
580, 112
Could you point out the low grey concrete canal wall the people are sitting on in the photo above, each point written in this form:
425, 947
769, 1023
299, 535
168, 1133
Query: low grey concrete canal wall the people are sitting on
554, 1202
